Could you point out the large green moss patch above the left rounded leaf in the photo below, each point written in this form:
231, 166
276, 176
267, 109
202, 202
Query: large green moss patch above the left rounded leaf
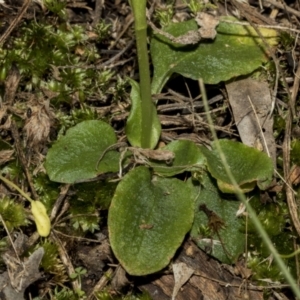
62, 62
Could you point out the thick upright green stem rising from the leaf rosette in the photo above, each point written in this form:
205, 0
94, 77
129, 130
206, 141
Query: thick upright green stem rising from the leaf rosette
139, 11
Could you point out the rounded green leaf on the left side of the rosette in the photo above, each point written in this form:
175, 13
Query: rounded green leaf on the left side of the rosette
74, 156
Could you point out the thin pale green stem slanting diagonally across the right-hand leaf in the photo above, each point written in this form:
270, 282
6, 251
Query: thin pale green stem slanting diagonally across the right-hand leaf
242, 198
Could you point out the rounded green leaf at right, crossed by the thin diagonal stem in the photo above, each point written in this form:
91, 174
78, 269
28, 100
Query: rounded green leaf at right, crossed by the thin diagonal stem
247, 165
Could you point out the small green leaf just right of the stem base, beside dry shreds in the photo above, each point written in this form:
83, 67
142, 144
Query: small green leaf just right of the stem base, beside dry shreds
188, 157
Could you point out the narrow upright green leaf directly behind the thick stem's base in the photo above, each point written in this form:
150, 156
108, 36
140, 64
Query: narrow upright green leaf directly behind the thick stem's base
134, 121
